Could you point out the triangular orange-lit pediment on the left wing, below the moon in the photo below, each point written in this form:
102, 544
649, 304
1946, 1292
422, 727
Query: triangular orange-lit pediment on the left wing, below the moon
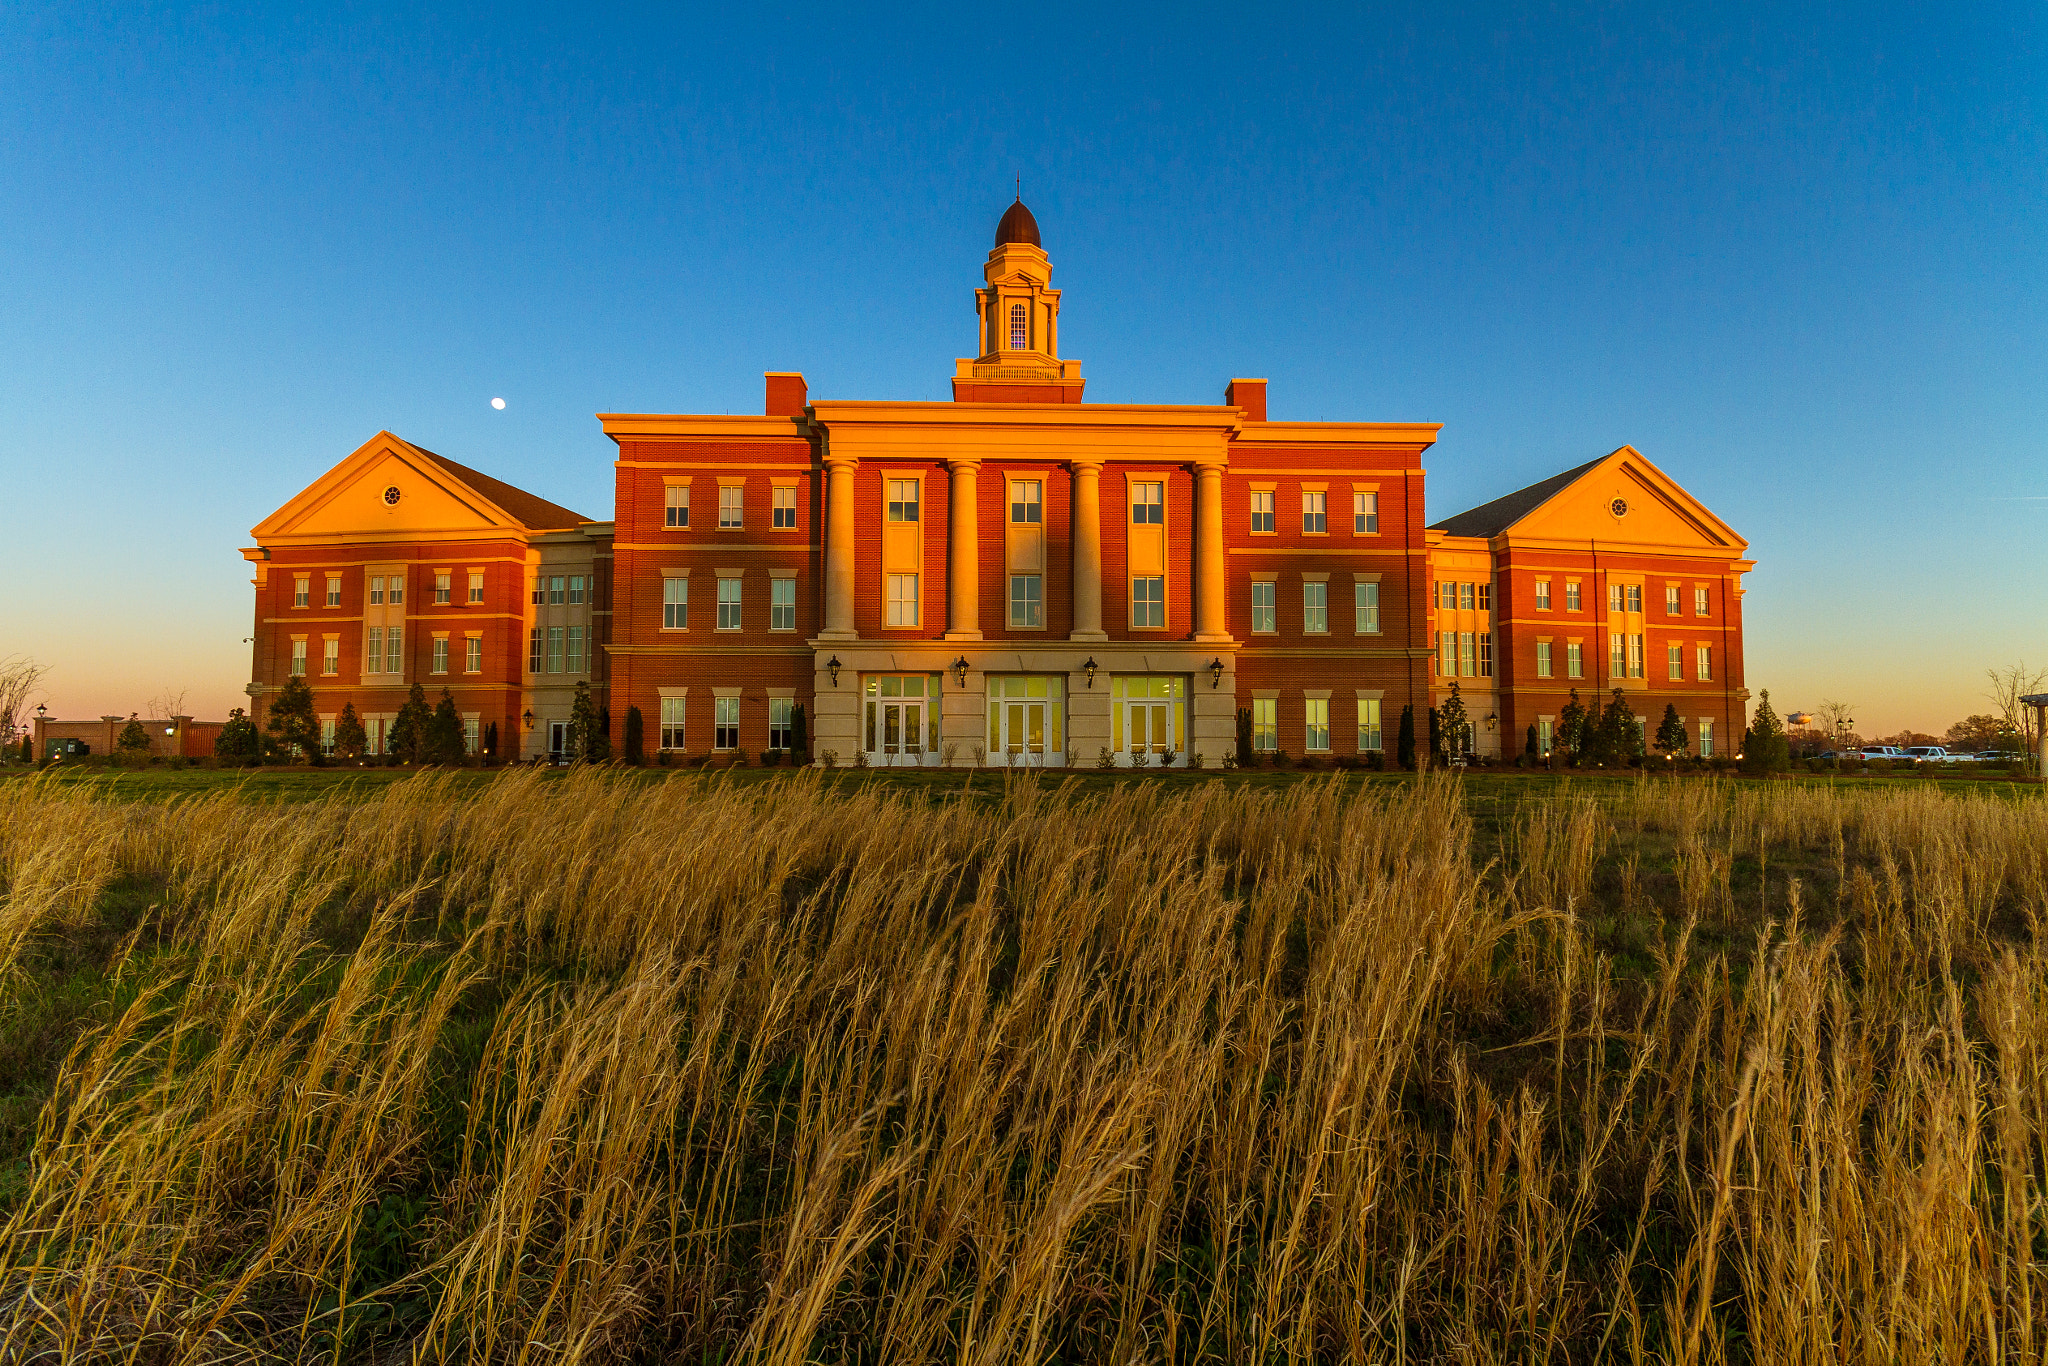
388, 488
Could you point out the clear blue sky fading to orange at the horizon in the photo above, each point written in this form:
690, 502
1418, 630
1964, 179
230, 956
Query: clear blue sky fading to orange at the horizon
1797, 259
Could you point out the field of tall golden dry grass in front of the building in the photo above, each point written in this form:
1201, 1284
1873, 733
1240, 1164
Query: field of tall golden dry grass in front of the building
601, 1070
